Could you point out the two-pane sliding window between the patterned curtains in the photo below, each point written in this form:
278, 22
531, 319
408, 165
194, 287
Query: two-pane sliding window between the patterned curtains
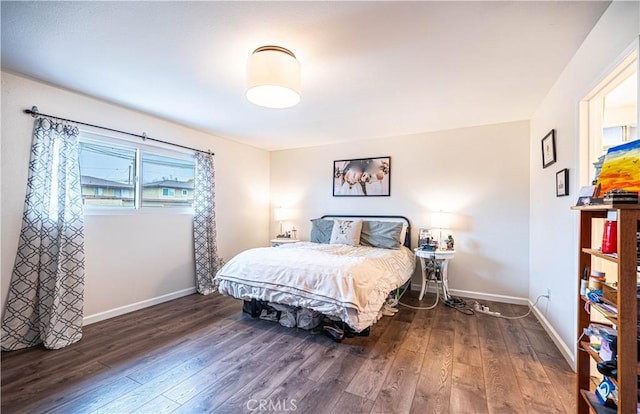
120, 175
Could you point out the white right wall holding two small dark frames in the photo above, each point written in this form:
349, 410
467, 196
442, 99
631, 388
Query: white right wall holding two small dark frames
554, 241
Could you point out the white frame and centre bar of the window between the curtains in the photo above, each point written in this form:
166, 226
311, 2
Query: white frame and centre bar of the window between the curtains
138, 147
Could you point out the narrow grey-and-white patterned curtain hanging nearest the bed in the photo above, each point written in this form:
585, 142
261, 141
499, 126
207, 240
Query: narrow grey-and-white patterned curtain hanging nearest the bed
204, 224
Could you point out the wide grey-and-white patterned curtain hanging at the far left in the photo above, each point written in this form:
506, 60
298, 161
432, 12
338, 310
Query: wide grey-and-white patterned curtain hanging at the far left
45, 301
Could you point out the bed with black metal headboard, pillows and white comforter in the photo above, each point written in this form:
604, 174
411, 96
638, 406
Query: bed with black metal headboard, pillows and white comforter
345, 272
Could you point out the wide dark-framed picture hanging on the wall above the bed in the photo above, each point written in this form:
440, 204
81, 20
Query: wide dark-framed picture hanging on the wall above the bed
362, 177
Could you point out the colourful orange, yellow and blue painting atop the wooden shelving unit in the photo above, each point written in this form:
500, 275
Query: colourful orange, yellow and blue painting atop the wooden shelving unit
621, 169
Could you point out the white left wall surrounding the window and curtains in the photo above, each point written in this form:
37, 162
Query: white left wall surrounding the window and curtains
132, 258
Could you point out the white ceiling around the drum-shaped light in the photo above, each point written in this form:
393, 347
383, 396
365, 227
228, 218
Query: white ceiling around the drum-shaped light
369, 69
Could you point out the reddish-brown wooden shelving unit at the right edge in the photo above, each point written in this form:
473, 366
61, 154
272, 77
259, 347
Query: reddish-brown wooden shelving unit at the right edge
627, 308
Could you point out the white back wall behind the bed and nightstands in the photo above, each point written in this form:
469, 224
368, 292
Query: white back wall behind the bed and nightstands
480, 174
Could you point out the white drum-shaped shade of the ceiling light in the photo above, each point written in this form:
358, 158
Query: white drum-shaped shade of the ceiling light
273, 77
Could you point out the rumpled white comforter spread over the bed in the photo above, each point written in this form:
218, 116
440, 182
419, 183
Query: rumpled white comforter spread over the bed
347, 282
